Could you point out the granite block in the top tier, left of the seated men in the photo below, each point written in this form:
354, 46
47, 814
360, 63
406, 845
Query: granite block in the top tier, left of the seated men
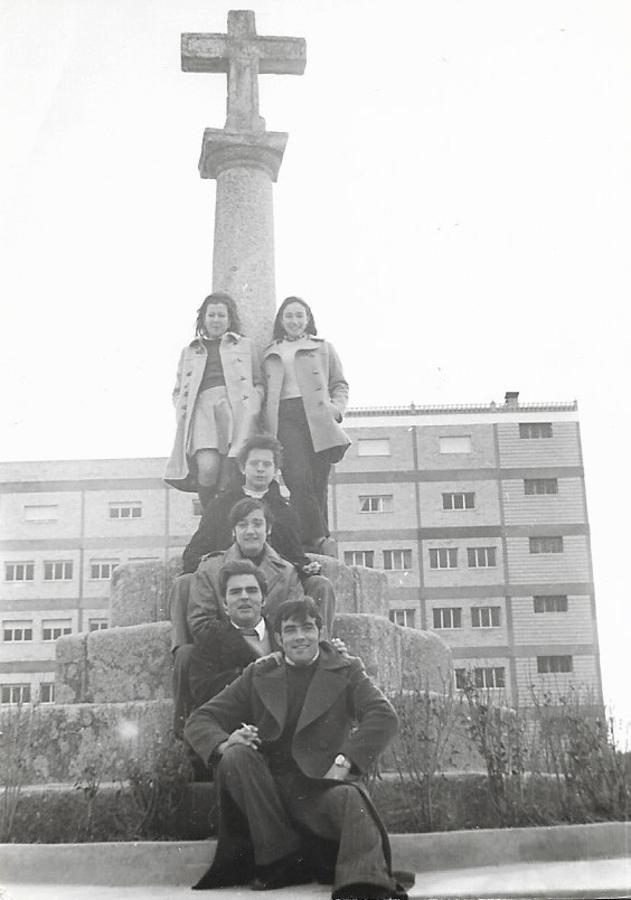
140, 592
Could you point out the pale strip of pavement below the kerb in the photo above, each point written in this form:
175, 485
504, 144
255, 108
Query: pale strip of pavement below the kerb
601, 878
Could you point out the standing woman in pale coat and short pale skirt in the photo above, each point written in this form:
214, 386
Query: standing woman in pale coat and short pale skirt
218, 395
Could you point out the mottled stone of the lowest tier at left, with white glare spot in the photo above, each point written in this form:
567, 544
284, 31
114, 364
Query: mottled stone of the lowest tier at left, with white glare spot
76, 742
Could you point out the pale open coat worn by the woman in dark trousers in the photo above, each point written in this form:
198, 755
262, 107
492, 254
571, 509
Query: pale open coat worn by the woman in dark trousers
323, 388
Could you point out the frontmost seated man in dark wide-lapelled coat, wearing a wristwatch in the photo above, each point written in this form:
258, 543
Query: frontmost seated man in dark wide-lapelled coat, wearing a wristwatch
290, 738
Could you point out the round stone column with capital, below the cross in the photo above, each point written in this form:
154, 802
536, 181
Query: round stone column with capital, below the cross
245, 165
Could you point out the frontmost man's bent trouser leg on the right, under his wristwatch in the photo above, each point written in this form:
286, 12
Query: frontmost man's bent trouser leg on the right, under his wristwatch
341, 813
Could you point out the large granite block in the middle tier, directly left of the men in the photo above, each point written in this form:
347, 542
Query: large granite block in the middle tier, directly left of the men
132, 663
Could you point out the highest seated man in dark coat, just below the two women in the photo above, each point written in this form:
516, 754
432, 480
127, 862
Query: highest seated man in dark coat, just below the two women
259, 462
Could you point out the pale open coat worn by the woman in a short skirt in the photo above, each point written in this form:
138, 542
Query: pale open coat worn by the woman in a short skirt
244, 386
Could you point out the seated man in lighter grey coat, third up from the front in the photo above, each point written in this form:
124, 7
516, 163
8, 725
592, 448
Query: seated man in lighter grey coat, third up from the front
194, 603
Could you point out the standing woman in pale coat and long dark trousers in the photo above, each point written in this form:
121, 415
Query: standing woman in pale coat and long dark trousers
306, 396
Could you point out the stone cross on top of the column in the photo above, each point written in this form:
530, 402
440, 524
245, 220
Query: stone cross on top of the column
243, 55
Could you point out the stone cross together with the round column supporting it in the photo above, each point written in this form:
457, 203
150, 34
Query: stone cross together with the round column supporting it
245, 160
